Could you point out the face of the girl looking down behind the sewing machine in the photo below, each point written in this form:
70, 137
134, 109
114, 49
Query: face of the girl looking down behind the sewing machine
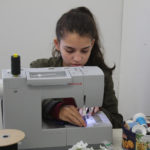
75, 49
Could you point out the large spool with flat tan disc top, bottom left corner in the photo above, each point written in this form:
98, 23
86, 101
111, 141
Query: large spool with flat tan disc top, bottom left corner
9, 139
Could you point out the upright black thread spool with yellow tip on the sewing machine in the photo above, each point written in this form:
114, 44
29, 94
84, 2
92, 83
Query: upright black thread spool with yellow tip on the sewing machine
15, 64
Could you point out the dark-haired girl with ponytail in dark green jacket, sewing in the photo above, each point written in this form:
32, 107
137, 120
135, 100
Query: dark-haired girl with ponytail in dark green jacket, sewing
77, 44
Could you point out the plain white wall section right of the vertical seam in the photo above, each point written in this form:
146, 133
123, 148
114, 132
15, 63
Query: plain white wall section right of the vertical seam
134, 86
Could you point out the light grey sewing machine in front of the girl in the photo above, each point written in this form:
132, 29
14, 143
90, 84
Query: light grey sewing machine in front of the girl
22, 105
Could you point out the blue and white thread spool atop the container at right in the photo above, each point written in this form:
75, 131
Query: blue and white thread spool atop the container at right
140, 118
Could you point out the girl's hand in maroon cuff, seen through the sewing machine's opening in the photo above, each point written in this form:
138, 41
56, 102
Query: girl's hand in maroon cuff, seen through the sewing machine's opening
70, 114
